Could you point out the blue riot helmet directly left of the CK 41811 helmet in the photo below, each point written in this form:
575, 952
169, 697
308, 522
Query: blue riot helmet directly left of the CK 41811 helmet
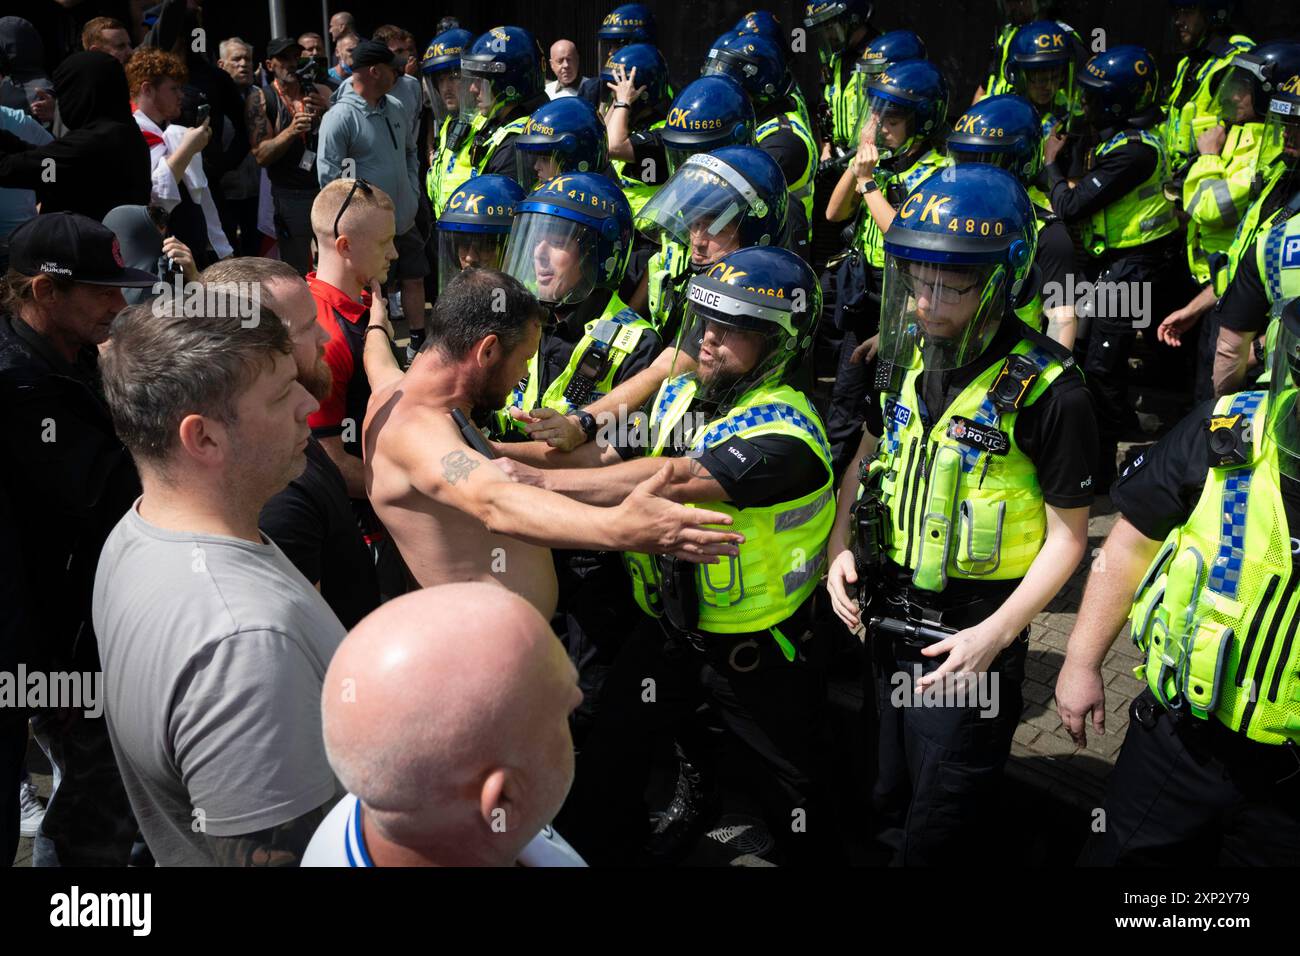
475, 224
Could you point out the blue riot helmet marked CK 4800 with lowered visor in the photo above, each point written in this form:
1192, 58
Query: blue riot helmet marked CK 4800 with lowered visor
957, 258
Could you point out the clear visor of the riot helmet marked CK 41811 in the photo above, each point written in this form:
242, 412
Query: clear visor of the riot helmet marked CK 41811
553, 257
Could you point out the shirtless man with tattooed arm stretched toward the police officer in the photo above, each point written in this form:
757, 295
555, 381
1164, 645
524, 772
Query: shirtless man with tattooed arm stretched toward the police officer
457, 521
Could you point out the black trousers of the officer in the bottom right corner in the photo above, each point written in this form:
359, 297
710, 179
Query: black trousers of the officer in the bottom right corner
1188, 791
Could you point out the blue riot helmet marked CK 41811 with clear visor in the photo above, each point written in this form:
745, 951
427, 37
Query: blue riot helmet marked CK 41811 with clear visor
571, 236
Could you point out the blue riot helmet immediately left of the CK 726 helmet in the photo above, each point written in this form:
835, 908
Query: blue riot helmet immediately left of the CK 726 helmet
905, 107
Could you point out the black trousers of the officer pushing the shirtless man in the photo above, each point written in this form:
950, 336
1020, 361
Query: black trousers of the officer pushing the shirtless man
773, 708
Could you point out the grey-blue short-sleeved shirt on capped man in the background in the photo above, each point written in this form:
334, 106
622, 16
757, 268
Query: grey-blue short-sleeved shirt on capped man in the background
380, 144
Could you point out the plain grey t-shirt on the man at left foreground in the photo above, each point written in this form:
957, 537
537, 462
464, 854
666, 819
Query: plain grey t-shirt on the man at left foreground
214, 651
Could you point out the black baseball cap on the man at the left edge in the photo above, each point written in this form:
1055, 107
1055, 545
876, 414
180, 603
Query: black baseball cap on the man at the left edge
76, 248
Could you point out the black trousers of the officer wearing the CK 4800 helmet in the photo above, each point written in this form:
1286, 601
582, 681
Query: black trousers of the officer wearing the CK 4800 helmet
941, 763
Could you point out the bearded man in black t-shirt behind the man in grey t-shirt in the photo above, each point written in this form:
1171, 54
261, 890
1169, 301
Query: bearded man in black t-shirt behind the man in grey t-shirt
313, 520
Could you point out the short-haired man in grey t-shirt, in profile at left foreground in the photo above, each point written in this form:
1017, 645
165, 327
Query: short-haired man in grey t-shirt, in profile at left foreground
214, 646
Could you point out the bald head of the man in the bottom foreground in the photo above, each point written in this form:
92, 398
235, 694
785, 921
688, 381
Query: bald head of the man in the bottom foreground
447, 713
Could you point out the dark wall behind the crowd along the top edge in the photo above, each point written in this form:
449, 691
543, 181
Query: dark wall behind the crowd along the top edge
957, 32
